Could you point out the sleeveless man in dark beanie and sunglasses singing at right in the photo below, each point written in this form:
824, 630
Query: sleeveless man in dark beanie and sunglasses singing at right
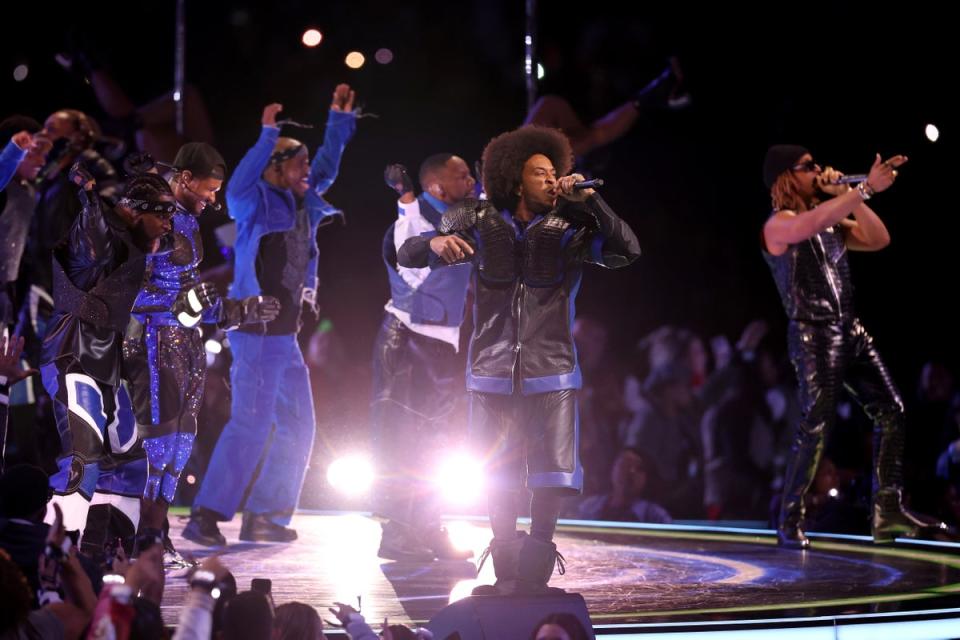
805, 242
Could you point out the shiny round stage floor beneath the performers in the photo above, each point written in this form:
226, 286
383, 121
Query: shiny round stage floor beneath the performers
636, 579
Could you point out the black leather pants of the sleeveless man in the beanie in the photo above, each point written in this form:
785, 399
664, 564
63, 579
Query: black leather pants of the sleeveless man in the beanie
827, 357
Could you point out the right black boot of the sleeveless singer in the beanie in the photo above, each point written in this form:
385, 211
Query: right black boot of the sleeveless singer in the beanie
890, 518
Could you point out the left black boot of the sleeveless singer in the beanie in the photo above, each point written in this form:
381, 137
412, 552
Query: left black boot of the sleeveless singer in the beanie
800, 472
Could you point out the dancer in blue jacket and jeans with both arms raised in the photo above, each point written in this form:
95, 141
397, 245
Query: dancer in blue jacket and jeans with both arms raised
275, 195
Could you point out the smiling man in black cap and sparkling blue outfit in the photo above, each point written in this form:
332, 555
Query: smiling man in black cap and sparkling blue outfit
163, 350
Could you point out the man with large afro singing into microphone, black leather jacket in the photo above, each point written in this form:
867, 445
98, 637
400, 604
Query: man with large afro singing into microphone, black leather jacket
528, 244
